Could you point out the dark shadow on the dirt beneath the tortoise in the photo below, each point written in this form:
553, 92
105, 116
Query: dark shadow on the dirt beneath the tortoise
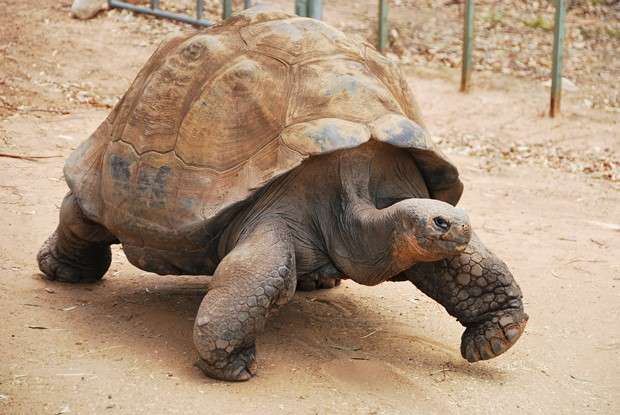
152, 314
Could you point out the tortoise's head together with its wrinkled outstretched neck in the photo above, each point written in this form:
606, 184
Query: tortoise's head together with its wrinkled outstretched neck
383, 220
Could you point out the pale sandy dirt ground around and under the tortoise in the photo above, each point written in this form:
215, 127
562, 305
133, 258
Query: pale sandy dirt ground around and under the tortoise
124, 345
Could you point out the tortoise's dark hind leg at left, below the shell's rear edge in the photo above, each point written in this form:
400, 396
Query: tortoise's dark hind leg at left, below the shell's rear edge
78, 250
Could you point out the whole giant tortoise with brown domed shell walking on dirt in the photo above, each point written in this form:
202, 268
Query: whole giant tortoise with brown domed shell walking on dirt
274, 153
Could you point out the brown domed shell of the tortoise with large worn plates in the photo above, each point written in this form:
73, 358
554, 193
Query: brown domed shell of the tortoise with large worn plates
215, 115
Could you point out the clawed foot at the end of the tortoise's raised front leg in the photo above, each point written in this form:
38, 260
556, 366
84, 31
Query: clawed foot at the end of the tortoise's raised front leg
488, 339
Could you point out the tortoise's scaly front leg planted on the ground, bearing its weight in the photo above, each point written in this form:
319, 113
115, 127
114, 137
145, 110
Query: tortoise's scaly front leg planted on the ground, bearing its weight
256, 277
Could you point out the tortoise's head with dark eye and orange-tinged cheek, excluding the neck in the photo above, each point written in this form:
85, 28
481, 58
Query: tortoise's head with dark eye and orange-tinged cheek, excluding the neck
428, 230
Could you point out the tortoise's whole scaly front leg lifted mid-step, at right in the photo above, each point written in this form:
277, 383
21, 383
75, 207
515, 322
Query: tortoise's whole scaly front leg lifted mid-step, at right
477, 288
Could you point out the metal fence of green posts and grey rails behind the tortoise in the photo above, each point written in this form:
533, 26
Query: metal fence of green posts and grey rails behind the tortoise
314, 9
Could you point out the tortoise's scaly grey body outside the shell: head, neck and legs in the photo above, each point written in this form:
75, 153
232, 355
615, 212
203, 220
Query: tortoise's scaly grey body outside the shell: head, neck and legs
370, 219
